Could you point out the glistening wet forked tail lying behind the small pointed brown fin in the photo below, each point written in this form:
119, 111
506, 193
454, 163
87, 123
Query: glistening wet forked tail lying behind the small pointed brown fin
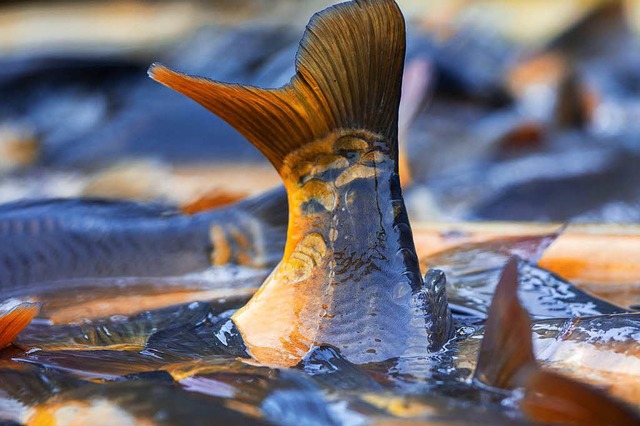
473, 270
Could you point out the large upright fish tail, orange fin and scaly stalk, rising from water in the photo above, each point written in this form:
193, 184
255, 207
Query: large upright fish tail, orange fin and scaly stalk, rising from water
332, 134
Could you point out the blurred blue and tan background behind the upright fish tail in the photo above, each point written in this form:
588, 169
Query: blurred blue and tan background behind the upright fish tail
512, 110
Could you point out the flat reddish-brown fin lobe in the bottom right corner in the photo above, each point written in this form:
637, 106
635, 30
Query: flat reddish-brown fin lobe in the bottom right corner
553, 399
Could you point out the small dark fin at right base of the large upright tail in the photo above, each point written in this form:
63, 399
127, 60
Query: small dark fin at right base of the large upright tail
435, 290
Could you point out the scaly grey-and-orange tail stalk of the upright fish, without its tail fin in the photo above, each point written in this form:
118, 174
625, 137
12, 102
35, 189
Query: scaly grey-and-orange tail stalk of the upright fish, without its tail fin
340, 275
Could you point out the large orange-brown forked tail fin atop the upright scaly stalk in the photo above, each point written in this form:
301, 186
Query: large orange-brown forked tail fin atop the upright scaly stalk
339, 84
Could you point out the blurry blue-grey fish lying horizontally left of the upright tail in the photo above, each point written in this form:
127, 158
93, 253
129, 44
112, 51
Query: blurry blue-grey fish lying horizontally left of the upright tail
98, 238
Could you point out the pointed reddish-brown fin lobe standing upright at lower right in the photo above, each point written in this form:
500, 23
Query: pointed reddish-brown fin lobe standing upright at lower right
506, 349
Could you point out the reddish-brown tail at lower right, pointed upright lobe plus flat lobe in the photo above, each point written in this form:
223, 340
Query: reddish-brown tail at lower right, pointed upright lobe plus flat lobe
507, 361
